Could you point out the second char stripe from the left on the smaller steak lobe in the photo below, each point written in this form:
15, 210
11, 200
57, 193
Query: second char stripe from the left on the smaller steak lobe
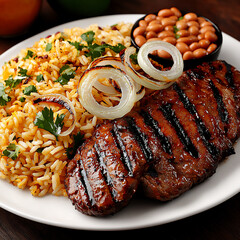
101, 156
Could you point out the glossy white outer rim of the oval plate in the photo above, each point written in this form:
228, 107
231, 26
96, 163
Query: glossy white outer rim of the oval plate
8, 53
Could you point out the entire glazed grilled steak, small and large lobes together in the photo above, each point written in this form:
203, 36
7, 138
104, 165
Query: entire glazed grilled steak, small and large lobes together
173, 141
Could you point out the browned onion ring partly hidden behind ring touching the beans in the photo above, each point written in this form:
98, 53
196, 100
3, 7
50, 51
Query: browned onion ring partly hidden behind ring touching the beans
140, 79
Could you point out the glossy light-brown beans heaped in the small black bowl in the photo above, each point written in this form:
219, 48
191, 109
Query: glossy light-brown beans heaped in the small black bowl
194, 36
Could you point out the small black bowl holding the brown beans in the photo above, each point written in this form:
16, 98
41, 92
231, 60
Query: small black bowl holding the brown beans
187, 63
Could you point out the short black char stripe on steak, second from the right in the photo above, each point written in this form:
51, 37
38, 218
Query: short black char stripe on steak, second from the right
223, 113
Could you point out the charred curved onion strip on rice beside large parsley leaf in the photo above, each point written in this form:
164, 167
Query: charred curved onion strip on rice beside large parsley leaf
61, 100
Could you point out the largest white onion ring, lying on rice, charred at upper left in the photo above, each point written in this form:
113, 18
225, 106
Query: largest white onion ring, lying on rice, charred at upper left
87, 81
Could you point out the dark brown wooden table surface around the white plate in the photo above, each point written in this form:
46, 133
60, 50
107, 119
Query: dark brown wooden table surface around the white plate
221, 222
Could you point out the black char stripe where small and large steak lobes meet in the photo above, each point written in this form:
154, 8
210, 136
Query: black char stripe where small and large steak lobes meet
141, 138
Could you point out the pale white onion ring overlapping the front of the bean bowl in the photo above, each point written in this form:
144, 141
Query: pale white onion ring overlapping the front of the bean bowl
168, 75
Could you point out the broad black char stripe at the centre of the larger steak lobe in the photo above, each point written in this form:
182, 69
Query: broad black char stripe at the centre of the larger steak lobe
169, 114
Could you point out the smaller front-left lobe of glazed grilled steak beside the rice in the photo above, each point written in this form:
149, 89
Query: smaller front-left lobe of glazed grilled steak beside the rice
105, 172
